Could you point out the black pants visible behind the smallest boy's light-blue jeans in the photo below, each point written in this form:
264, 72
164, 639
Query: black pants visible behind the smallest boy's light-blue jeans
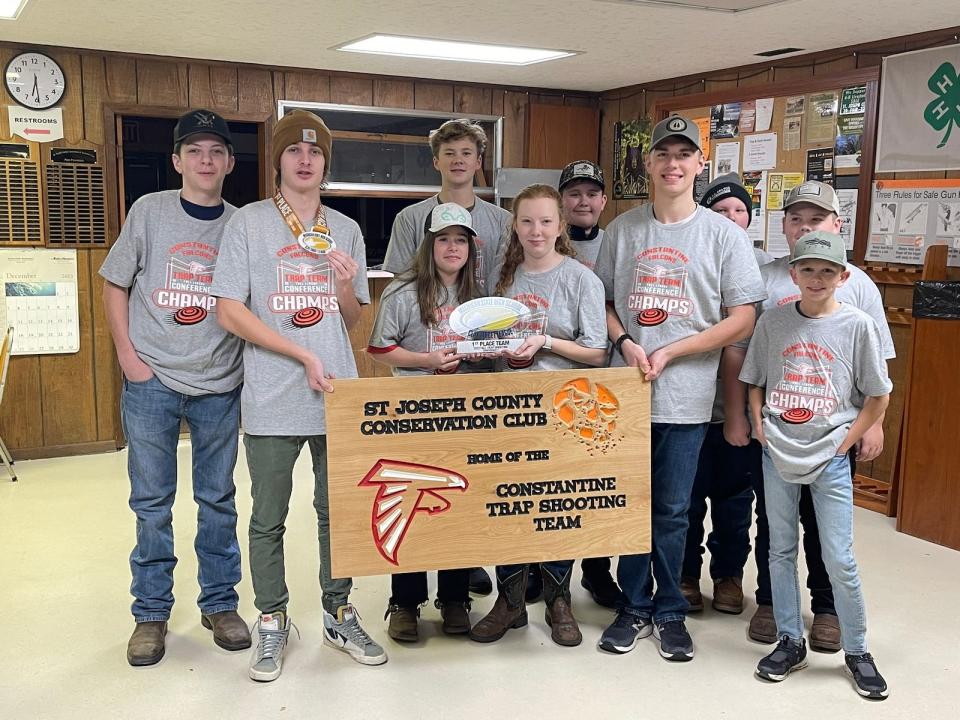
818, 582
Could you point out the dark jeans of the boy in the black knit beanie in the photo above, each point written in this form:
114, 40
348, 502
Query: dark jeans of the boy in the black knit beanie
724, 475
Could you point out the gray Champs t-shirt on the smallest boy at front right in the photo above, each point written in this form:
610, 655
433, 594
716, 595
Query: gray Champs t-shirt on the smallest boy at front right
817, 373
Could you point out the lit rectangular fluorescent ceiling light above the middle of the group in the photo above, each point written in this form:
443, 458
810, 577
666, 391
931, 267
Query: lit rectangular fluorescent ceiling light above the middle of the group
451, 50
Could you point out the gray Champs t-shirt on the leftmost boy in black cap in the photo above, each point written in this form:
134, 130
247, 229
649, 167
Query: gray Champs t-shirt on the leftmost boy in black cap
167, 259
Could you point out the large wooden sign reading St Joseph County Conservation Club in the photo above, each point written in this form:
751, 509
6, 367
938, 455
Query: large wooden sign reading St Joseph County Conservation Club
441, 472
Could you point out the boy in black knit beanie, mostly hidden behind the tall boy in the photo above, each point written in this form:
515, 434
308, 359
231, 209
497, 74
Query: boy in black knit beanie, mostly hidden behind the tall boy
729, 459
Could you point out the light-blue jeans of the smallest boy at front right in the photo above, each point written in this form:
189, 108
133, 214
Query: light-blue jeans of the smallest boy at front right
832, 494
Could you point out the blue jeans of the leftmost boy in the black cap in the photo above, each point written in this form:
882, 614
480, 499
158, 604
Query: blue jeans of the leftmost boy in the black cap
151, 414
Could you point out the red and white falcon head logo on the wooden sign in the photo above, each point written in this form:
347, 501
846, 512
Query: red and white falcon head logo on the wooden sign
404, 490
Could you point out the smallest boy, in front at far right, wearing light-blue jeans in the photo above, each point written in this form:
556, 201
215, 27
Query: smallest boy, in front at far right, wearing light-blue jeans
818, 382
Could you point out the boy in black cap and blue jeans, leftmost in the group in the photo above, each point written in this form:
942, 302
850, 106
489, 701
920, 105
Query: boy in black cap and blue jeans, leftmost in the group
178, 364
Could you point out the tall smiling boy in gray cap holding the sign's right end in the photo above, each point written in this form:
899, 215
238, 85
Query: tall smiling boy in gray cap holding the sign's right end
669, 268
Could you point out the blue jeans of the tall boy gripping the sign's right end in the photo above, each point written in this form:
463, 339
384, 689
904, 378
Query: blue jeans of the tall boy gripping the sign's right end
674, 450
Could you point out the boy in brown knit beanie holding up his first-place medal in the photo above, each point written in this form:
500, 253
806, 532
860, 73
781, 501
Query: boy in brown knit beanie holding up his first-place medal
291, 278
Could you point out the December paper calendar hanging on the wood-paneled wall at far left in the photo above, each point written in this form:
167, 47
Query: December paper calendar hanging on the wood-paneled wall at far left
38, 297
